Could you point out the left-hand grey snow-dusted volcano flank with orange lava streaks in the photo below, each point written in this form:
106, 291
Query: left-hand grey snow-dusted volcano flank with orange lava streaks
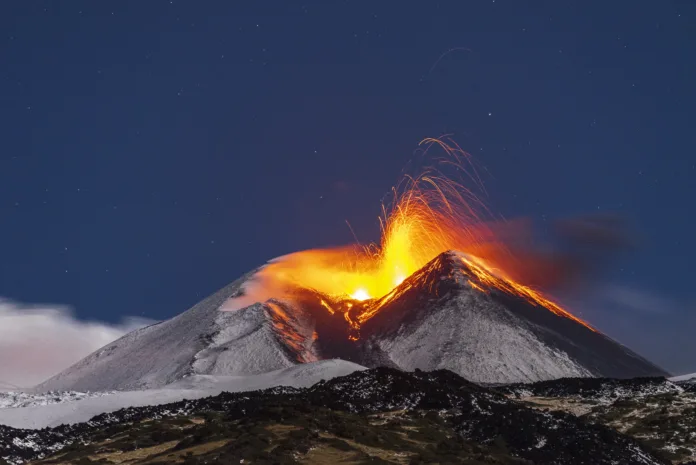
203, 340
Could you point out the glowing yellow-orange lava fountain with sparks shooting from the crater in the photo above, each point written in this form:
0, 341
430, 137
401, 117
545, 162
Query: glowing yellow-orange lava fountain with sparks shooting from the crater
430, 214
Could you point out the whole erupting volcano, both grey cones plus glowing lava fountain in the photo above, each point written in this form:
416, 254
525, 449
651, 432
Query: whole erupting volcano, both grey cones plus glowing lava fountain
448, 286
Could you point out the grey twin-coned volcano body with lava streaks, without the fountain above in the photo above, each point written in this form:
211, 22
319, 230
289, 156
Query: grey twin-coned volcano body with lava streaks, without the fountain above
446, 315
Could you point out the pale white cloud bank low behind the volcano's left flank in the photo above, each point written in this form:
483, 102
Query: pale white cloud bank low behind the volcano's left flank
39, 341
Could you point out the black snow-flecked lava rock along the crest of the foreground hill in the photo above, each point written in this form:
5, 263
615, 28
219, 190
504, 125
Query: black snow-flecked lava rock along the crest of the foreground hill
478, 416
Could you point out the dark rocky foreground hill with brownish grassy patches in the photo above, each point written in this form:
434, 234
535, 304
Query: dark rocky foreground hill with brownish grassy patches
380, 415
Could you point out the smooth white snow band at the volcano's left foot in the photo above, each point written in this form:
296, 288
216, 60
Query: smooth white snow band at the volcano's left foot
190, 387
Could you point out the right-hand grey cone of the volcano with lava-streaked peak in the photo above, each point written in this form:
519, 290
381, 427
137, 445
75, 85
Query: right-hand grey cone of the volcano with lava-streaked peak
437, 319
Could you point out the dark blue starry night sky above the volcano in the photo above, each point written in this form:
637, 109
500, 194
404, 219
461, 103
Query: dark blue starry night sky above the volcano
154, 151
